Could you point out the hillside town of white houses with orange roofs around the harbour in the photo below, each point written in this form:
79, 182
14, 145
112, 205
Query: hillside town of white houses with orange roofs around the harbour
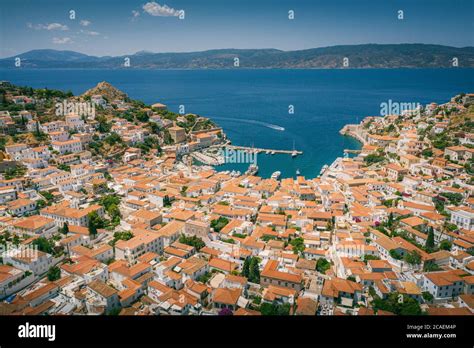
109, 212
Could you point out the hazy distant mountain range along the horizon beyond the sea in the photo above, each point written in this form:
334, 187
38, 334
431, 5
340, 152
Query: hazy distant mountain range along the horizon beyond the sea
359, 56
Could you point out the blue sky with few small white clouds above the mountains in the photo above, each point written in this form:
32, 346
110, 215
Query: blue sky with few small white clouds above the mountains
119, 27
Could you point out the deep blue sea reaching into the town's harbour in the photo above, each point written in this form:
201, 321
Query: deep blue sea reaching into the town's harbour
253, 105
